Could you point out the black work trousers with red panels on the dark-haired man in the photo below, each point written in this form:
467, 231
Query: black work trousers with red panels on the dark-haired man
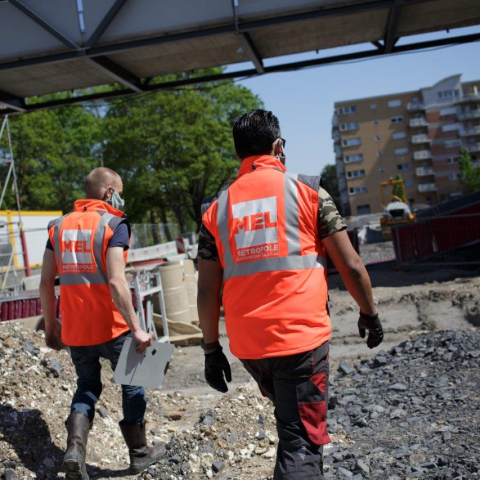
298, 387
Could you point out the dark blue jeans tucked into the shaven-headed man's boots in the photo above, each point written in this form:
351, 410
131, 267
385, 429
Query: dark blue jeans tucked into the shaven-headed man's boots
89, 385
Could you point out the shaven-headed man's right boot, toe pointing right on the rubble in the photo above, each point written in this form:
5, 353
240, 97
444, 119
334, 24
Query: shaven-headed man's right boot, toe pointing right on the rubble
141, 456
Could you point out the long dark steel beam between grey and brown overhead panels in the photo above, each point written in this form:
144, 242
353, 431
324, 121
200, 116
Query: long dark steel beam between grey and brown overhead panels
241, 27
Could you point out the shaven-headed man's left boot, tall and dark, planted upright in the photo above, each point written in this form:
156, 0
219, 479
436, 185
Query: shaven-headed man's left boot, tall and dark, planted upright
78, 426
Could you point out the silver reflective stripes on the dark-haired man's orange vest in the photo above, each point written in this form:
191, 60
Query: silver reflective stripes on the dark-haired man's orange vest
294, 261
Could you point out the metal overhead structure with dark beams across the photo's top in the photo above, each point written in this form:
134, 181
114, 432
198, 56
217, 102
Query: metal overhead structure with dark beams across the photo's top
64, 45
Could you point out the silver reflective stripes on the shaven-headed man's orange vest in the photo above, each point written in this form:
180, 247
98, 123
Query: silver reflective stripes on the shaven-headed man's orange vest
98, 278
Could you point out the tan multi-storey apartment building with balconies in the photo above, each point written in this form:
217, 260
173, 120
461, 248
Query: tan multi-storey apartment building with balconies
417, 134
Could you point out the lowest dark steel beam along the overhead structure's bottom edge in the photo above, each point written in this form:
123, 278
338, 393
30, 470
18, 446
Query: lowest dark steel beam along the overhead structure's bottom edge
245, 73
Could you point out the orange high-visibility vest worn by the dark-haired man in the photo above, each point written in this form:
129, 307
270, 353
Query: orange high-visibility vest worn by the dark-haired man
274, 277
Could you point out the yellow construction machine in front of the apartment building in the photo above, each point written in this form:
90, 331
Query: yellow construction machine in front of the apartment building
397, 210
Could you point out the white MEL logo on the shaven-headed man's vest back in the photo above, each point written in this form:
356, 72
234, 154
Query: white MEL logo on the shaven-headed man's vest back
76, 251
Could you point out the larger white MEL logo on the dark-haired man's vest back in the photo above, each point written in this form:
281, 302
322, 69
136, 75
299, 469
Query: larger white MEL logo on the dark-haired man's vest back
255, 229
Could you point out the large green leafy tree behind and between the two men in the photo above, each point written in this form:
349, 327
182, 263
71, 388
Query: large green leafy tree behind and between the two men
175, 148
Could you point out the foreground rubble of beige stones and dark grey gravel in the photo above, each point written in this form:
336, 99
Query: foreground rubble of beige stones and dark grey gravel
411, 412
